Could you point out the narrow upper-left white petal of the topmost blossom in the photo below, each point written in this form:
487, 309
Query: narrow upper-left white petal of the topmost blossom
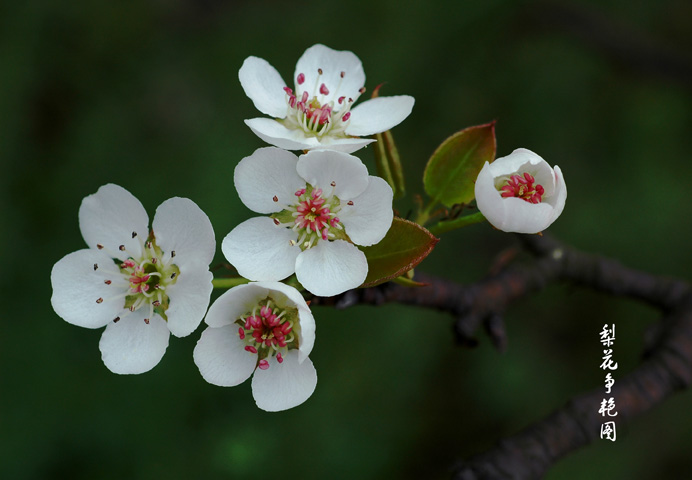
265, 87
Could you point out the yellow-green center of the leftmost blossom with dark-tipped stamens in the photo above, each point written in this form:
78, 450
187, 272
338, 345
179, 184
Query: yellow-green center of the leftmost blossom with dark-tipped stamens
143, 280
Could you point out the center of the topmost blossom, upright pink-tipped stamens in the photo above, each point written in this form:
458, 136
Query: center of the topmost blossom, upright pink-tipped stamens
315, 111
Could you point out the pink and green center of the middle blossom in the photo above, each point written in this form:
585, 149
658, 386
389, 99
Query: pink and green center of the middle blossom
313, 216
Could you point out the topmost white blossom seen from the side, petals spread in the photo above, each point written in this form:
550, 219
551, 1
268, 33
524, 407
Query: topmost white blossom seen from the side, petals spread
318, 113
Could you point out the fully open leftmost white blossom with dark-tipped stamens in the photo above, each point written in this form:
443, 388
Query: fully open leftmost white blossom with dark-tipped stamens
141, 284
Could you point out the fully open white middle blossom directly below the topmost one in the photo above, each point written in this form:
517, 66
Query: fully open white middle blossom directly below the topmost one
321, 205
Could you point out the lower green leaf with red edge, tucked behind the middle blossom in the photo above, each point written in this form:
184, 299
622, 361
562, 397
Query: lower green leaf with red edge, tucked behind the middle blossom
405, 246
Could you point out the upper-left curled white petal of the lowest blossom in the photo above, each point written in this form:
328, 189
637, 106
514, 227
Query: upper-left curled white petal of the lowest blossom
237, 301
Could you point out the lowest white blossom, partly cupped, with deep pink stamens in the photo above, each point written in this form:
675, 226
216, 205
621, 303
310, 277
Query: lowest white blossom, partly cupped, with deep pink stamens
266, 328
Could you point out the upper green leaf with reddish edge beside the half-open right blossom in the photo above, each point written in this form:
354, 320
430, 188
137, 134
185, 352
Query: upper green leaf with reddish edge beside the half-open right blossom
452, 169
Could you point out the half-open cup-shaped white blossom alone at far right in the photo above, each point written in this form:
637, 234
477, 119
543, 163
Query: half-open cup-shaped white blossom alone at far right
520, 192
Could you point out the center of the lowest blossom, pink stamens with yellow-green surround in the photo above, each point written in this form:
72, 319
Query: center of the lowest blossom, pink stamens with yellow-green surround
269, 331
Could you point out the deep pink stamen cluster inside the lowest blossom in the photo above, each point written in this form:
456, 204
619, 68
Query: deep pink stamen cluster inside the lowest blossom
266, 330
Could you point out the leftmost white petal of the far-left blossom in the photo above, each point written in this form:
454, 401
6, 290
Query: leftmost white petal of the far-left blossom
77, 286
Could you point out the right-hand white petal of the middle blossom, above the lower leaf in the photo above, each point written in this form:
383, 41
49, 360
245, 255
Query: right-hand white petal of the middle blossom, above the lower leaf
367, 221
